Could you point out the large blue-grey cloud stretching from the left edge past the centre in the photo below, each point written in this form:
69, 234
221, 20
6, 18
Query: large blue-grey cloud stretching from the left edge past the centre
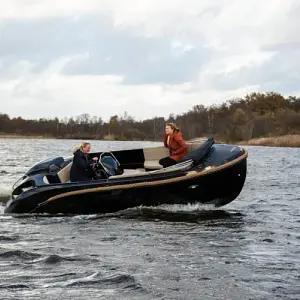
139, 60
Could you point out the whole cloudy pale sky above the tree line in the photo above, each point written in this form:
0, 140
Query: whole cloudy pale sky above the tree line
147, 57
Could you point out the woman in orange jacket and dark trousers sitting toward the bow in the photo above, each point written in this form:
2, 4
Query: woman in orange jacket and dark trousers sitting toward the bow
174, 142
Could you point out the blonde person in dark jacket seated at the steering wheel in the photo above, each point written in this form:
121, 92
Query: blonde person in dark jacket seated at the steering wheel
81, 168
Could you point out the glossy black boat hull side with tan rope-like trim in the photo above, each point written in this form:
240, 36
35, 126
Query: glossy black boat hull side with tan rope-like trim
218, 187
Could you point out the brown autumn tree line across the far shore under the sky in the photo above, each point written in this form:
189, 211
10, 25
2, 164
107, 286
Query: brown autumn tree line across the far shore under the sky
253, 116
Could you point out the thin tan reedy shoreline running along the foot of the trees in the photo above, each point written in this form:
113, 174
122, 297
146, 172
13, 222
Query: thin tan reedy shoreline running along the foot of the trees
291, 140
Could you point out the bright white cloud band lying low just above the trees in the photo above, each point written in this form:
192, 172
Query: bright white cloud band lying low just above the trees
51, 93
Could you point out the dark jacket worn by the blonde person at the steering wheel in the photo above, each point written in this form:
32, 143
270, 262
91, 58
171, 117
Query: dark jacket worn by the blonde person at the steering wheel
81, 167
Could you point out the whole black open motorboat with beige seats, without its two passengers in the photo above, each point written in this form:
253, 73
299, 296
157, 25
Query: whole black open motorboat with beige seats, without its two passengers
210, 174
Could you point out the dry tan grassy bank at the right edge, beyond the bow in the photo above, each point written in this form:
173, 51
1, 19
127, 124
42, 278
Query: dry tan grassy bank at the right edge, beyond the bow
292, 140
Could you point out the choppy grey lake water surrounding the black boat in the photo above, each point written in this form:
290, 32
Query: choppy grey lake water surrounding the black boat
249, 249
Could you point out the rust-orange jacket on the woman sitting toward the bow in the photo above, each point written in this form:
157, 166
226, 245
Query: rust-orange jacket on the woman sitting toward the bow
176, 145
